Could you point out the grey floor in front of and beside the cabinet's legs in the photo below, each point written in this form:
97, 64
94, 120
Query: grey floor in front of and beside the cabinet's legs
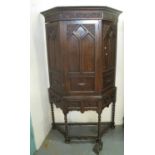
113, 144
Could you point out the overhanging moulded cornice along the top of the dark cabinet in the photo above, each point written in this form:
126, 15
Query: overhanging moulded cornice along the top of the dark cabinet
80, 12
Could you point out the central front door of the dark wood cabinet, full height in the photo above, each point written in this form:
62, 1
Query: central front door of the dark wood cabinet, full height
82, 49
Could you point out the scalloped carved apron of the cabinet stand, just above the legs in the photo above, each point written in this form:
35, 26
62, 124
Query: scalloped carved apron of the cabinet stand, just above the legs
83, 105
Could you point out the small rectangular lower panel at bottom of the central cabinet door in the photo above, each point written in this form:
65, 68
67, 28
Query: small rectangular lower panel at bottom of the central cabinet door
82, 84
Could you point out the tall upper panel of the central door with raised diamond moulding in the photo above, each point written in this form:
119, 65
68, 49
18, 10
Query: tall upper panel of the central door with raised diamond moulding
81, 47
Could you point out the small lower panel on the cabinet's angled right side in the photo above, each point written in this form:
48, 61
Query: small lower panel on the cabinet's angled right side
108, 79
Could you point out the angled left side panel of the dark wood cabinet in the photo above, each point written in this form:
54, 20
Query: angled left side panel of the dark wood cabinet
54, 56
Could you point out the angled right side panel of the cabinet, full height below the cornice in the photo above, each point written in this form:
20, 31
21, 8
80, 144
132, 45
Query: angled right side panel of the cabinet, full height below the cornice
109, 53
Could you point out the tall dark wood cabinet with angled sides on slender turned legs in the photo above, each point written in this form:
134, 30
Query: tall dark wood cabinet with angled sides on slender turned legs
81, 44
